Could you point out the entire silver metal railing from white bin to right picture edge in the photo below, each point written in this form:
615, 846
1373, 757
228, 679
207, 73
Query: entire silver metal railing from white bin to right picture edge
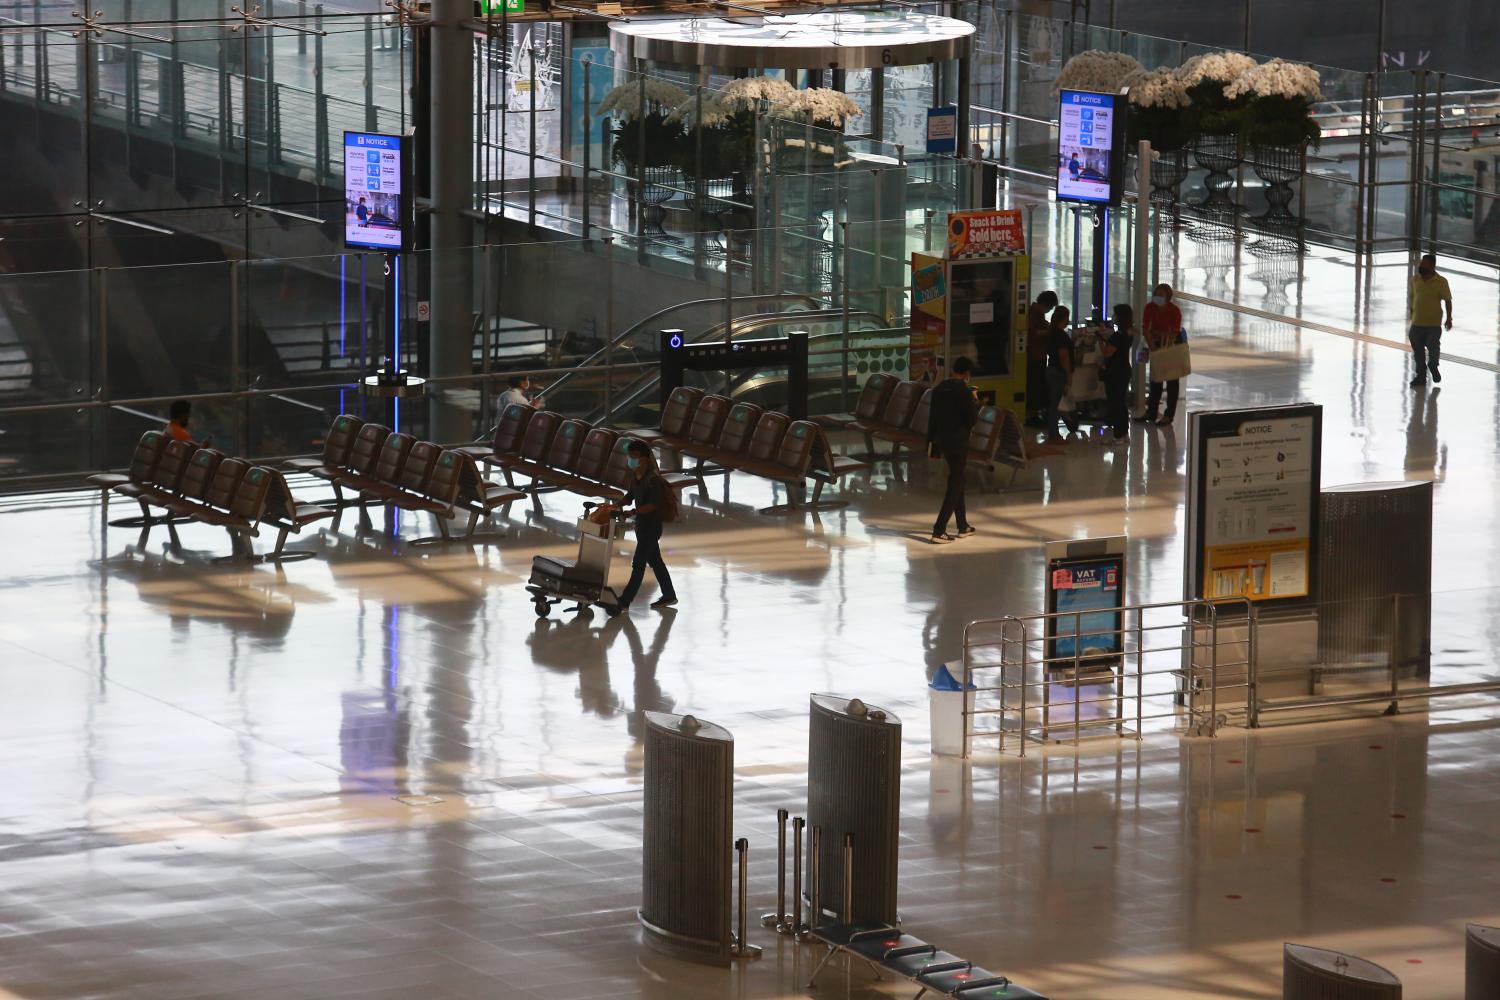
1193, 668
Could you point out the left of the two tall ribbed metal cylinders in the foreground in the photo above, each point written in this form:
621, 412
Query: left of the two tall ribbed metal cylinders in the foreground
688, 840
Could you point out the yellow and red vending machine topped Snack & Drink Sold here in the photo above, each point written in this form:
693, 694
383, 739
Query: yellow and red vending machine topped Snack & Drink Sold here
973, 304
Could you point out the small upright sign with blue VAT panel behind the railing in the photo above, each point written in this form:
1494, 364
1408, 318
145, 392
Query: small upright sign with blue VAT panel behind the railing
1087, 596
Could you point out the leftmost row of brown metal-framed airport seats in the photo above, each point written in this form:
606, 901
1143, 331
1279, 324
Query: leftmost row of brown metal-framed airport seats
188, 484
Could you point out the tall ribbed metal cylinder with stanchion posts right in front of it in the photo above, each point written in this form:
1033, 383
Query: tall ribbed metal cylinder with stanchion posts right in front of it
854, 786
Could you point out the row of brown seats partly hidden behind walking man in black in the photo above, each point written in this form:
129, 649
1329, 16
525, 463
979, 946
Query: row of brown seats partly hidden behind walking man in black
896, 412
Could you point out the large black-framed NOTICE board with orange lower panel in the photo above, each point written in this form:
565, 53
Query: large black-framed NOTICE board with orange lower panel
1253, 504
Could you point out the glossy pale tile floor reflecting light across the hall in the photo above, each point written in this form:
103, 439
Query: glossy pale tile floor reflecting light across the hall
376, 774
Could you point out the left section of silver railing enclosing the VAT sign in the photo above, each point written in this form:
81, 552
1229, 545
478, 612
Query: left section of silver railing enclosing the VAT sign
1178, 662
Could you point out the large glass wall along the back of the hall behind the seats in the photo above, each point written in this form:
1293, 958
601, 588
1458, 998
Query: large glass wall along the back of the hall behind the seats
170, 223
